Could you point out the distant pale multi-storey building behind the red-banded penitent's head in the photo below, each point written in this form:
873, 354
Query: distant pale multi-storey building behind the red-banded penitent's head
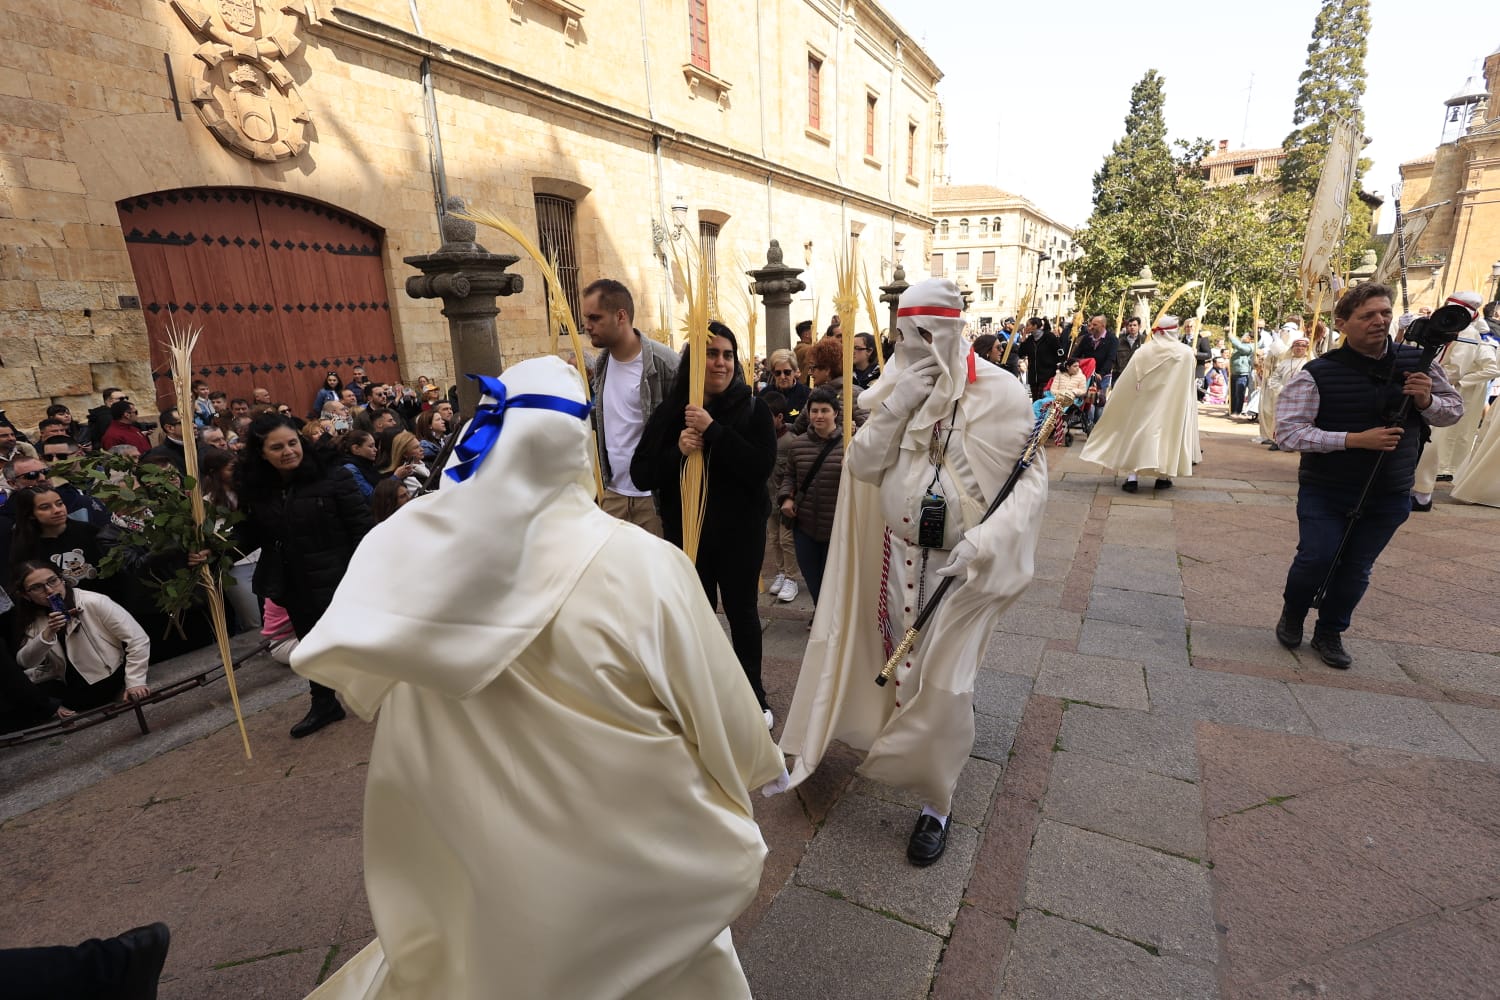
997, 247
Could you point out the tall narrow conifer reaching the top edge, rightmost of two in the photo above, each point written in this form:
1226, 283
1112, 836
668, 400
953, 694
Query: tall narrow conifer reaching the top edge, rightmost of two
1328, 91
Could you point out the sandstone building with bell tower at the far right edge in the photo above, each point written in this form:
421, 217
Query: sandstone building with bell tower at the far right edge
1460, 245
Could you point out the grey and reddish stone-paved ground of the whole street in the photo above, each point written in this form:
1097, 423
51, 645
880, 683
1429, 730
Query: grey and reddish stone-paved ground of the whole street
1162, 801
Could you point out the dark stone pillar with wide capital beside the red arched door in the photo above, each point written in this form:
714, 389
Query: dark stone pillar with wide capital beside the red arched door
469, 280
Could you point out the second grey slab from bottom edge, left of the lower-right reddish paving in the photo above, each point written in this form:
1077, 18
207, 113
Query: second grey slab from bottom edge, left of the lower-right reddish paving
1124, 890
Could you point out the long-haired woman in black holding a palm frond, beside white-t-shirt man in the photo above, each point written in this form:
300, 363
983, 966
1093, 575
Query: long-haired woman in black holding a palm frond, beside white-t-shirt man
737, 436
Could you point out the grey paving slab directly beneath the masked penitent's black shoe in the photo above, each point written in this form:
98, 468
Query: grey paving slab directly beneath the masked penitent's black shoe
862, 854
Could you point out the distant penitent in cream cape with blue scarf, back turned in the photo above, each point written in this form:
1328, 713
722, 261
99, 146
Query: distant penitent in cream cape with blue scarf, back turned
1150, 425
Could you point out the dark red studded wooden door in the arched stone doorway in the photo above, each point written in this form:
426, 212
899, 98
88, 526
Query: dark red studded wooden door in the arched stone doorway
286, 290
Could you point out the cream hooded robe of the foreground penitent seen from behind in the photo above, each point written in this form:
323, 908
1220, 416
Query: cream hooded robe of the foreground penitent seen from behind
559, 791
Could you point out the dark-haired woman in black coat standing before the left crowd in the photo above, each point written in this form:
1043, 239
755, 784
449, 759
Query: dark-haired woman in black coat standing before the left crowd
307, 521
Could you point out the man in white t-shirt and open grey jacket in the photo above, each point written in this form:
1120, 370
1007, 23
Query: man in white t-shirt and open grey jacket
629, 380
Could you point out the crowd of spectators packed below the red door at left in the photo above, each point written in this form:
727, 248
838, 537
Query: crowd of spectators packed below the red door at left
293, 490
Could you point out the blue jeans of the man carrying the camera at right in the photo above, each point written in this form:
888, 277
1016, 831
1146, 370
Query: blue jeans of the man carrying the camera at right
1322, 516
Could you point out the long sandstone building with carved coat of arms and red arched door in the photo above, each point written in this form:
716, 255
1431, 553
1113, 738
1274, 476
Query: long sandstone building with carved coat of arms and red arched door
262, 170
